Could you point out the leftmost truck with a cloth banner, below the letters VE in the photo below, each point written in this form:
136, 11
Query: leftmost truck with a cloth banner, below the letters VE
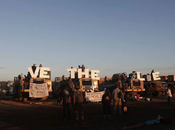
22, 86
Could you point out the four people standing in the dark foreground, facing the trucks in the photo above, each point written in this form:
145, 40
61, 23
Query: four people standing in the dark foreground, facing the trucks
75, 98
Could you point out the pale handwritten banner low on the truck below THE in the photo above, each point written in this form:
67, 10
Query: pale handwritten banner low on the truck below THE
94, 96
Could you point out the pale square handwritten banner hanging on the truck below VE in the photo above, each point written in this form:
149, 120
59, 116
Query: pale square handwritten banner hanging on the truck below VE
38, 90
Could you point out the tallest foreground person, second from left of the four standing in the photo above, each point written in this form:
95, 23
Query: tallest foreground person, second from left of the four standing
78, 104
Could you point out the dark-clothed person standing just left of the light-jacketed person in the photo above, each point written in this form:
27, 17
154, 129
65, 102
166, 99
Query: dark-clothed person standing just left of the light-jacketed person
106, 101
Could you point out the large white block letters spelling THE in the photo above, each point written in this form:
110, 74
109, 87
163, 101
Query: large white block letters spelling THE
94, 73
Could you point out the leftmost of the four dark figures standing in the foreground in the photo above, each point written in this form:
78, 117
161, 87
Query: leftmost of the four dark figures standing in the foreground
66, 102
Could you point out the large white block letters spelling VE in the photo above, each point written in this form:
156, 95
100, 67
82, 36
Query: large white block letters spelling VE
43, 72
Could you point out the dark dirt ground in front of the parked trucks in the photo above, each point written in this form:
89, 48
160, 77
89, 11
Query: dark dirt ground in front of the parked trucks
37, 115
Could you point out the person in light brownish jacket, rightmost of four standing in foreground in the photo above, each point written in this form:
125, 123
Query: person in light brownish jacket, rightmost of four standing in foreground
116, 94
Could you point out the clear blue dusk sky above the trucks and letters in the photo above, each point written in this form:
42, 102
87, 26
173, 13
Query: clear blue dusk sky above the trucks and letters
112, 36
